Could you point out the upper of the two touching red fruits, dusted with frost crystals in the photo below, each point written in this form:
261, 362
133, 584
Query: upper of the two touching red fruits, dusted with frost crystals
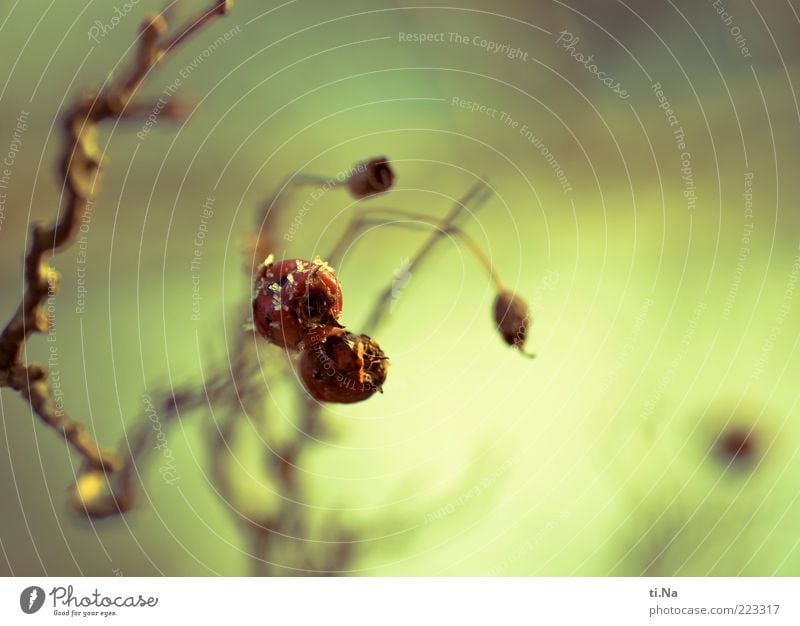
294, 299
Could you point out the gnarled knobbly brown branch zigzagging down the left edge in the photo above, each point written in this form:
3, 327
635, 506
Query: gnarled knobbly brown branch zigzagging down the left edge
81, 170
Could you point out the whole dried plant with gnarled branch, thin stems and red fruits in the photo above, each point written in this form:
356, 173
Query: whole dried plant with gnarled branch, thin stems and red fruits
232, 391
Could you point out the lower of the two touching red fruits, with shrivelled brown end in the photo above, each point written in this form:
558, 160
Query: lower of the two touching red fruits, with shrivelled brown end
344, 368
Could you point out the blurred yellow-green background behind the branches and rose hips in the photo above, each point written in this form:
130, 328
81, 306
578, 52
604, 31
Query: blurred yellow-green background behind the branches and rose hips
663, 287
